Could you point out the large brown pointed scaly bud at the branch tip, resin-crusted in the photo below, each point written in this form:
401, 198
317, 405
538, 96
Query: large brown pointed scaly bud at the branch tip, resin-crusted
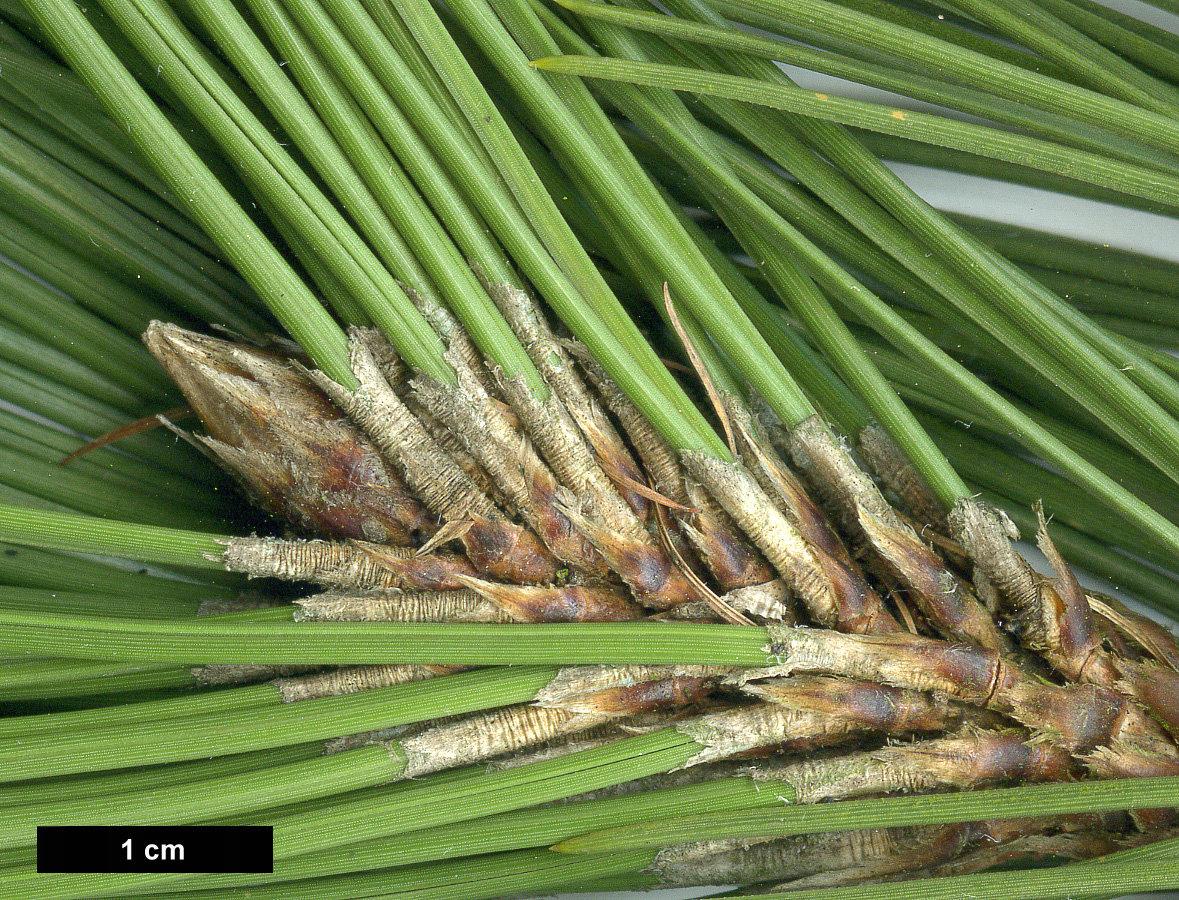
289, 446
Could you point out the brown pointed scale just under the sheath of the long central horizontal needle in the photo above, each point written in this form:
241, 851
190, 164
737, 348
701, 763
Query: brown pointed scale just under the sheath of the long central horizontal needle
894, 710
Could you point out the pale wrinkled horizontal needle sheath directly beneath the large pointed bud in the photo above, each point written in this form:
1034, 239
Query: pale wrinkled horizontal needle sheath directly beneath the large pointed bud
352, 564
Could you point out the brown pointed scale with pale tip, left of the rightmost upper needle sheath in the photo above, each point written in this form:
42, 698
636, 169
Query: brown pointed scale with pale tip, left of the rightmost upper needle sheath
944, 599
